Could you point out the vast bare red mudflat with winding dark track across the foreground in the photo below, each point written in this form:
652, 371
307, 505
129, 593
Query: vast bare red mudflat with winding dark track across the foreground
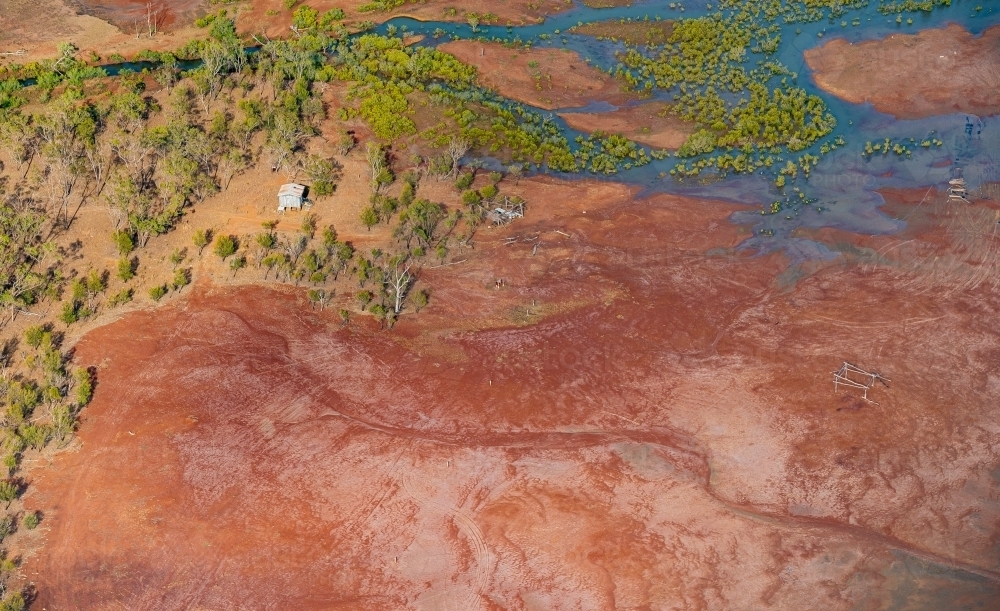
640, 419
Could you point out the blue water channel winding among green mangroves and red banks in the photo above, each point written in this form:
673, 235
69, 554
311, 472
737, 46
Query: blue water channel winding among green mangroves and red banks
844, 183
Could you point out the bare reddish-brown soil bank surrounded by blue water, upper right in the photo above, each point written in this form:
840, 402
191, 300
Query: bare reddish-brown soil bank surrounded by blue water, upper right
933, 72
